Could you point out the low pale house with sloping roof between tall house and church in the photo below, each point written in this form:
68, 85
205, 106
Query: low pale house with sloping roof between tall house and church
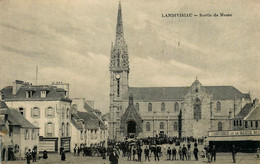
87, 126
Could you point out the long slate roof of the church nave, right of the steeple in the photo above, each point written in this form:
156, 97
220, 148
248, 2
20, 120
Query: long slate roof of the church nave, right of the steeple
177, 93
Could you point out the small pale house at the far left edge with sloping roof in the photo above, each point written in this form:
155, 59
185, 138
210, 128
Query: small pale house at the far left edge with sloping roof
19, 134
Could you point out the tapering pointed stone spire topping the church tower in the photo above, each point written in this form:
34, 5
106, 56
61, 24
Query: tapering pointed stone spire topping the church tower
119, 26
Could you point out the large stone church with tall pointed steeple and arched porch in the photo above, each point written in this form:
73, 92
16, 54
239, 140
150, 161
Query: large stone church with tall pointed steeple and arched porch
173, 111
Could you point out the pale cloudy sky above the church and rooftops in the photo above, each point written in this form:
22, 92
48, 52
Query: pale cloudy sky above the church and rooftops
70, 41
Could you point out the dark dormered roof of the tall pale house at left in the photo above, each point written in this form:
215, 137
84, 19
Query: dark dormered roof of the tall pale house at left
53, 93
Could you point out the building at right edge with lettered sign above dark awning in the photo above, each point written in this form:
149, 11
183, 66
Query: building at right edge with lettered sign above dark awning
245, 132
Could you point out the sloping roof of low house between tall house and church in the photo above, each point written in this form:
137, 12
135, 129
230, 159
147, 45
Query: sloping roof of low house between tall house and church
91, 120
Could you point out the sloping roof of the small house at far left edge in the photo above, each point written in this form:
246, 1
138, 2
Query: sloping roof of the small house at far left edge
15, 118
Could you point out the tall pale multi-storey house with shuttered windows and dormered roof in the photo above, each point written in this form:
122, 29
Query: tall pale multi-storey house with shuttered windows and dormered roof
47, 107
